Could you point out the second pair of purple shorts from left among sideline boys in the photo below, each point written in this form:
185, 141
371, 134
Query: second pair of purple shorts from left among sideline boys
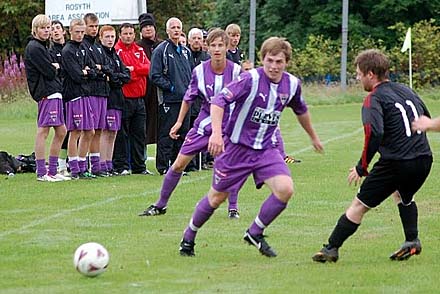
79, 116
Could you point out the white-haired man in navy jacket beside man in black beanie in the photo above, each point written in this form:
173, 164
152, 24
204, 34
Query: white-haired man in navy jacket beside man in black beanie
171, 73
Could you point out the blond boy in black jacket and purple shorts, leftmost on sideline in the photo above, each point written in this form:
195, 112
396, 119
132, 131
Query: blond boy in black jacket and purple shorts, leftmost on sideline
45, 88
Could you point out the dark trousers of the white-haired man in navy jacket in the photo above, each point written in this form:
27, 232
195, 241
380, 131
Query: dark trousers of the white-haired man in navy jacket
167, 148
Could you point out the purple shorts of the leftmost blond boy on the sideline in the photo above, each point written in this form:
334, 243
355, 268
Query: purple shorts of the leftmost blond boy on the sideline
50, 113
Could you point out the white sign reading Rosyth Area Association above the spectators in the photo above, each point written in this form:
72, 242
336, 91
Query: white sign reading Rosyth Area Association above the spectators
107, 11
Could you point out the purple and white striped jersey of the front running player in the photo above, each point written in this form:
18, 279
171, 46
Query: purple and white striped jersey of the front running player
258, 107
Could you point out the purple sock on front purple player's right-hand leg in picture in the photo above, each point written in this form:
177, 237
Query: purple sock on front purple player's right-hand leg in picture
270, 209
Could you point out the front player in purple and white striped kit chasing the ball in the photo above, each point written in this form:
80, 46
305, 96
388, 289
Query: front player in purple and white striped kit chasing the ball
260, 96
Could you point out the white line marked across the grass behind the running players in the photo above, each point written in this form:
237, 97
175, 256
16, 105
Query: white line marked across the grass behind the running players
113, 199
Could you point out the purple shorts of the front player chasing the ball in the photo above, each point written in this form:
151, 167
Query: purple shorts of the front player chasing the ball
237, 162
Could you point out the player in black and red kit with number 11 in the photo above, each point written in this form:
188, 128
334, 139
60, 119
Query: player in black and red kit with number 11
405, 157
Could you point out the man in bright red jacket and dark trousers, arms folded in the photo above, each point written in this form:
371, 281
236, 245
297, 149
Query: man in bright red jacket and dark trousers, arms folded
129, 153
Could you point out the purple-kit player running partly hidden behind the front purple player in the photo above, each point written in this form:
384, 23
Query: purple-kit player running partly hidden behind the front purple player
207, 80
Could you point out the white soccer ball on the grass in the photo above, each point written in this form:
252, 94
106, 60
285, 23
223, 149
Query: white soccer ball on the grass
91, 259
